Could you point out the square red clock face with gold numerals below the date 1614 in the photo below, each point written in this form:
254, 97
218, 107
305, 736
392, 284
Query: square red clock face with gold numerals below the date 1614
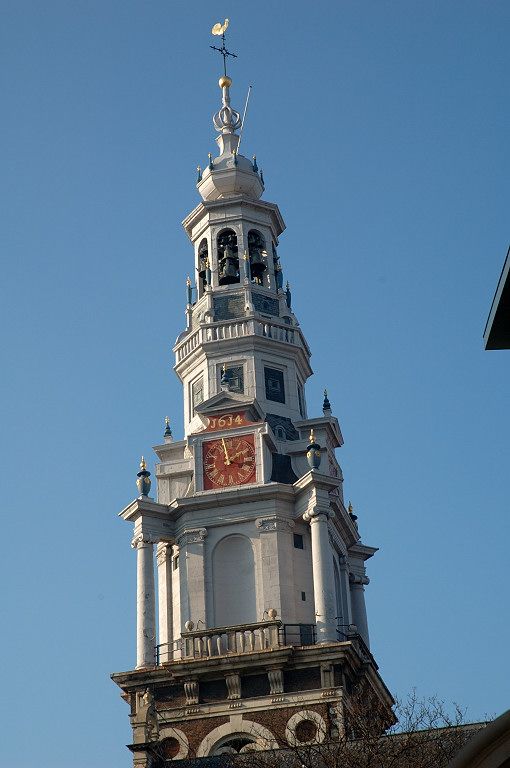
228, 461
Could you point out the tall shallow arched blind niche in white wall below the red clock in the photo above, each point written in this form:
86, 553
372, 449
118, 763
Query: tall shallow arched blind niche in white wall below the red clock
235, 600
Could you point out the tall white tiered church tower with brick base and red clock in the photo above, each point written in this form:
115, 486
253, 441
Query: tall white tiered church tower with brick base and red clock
254, 633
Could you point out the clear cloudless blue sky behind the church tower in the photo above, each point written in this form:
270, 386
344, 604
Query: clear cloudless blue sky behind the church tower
382, 130
